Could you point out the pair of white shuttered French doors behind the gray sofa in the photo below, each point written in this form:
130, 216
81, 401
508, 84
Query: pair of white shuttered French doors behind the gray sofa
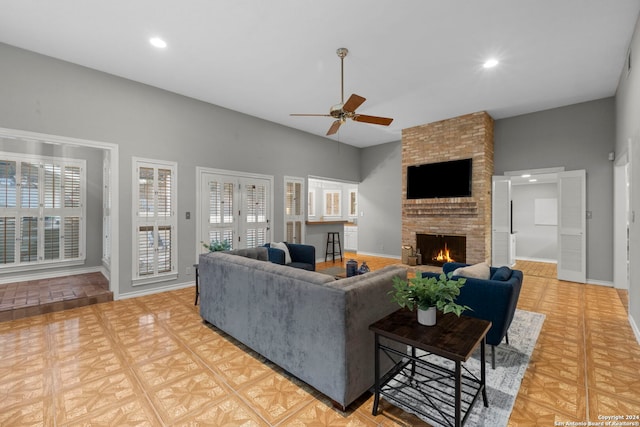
233, 207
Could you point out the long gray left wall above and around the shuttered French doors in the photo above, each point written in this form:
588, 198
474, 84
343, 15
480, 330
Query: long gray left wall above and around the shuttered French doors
45, 95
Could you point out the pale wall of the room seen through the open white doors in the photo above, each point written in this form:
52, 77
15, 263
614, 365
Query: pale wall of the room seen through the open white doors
533, 241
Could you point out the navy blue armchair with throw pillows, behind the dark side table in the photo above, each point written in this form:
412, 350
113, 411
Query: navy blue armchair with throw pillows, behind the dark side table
494, 300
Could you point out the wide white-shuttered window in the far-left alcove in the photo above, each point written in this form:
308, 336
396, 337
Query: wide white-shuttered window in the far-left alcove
41, 211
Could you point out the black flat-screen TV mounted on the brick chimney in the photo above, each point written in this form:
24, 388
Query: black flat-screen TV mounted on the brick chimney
438, 180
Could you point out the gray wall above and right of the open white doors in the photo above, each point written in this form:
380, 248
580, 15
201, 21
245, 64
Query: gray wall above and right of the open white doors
579, 136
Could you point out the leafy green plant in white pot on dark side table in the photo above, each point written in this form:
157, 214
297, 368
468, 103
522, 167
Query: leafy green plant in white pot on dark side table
429, 294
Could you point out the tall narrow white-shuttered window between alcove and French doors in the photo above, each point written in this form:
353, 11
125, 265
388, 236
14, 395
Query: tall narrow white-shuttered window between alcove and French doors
155, 221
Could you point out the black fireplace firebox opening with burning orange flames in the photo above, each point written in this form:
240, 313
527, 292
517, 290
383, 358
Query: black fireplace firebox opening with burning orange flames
436, 249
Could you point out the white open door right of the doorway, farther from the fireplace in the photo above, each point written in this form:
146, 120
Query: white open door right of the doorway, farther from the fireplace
572, 247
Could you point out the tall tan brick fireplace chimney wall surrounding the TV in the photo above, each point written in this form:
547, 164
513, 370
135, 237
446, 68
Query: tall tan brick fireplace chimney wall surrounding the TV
468, 136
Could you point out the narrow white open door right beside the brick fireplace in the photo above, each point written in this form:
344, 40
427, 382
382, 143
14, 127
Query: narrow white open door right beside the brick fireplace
501, 221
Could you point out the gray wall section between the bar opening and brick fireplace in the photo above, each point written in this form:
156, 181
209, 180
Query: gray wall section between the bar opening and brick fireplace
380, 200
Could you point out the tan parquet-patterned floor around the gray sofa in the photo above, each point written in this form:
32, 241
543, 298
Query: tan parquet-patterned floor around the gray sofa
151, 361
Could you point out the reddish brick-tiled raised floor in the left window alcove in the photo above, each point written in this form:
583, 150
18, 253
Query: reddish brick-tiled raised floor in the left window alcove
32, 298
